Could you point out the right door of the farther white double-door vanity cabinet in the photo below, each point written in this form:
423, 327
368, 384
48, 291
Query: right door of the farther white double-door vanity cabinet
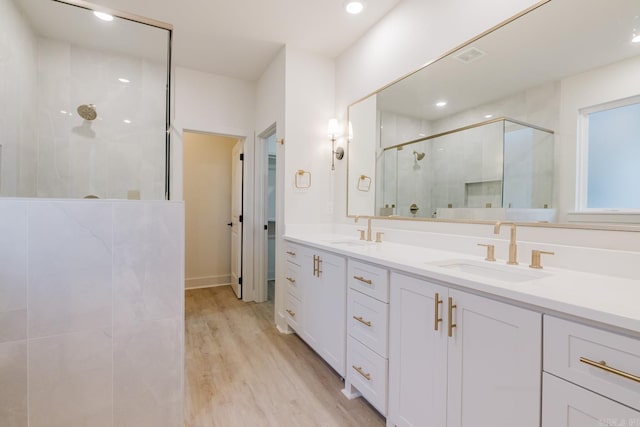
329, 308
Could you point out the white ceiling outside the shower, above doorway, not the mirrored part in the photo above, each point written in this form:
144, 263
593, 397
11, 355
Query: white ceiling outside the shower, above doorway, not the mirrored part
239, 38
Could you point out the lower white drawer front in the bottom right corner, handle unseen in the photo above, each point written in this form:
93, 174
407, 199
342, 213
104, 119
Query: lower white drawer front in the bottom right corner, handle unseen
567, 405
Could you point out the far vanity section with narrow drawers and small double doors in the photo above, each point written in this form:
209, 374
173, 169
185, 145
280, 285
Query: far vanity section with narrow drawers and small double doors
318, 288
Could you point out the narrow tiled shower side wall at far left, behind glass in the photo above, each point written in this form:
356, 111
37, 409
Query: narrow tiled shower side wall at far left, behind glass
18, 61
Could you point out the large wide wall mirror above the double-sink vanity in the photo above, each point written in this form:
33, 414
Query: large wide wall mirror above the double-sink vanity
493, 130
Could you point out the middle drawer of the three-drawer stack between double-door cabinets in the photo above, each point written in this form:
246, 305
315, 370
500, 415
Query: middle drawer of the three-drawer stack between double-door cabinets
367, 320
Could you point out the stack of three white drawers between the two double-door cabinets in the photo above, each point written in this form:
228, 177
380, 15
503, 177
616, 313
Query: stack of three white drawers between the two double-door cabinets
367, 333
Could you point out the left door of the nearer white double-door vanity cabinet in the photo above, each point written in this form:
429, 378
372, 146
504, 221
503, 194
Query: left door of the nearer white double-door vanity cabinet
417, 353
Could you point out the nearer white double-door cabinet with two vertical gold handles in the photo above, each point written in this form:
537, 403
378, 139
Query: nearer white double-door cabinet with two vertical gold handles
458, 359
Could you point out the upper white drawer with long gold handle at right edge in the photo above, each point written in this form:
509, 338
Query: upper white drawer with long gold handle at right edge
571, 349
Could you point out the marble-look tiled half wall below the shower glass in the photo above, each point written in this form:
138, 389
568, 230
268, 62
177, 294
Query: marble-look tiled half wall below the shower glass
91, 313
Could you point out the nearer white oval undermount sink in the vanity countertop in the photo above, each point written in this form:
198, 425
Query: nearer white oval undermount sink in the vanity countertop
505, 273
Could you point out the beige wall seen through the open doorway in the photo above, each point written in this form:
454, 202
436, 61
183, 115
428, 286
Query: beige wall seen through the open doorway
207, 198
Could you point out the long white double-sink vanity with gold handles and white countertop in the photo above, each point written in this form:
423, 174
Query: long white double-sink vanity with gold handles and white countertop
437, 338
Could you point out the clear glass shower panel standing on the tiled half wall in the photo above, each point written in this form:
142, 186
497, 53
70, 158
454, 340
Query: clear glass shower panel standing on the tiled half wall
84, 102
